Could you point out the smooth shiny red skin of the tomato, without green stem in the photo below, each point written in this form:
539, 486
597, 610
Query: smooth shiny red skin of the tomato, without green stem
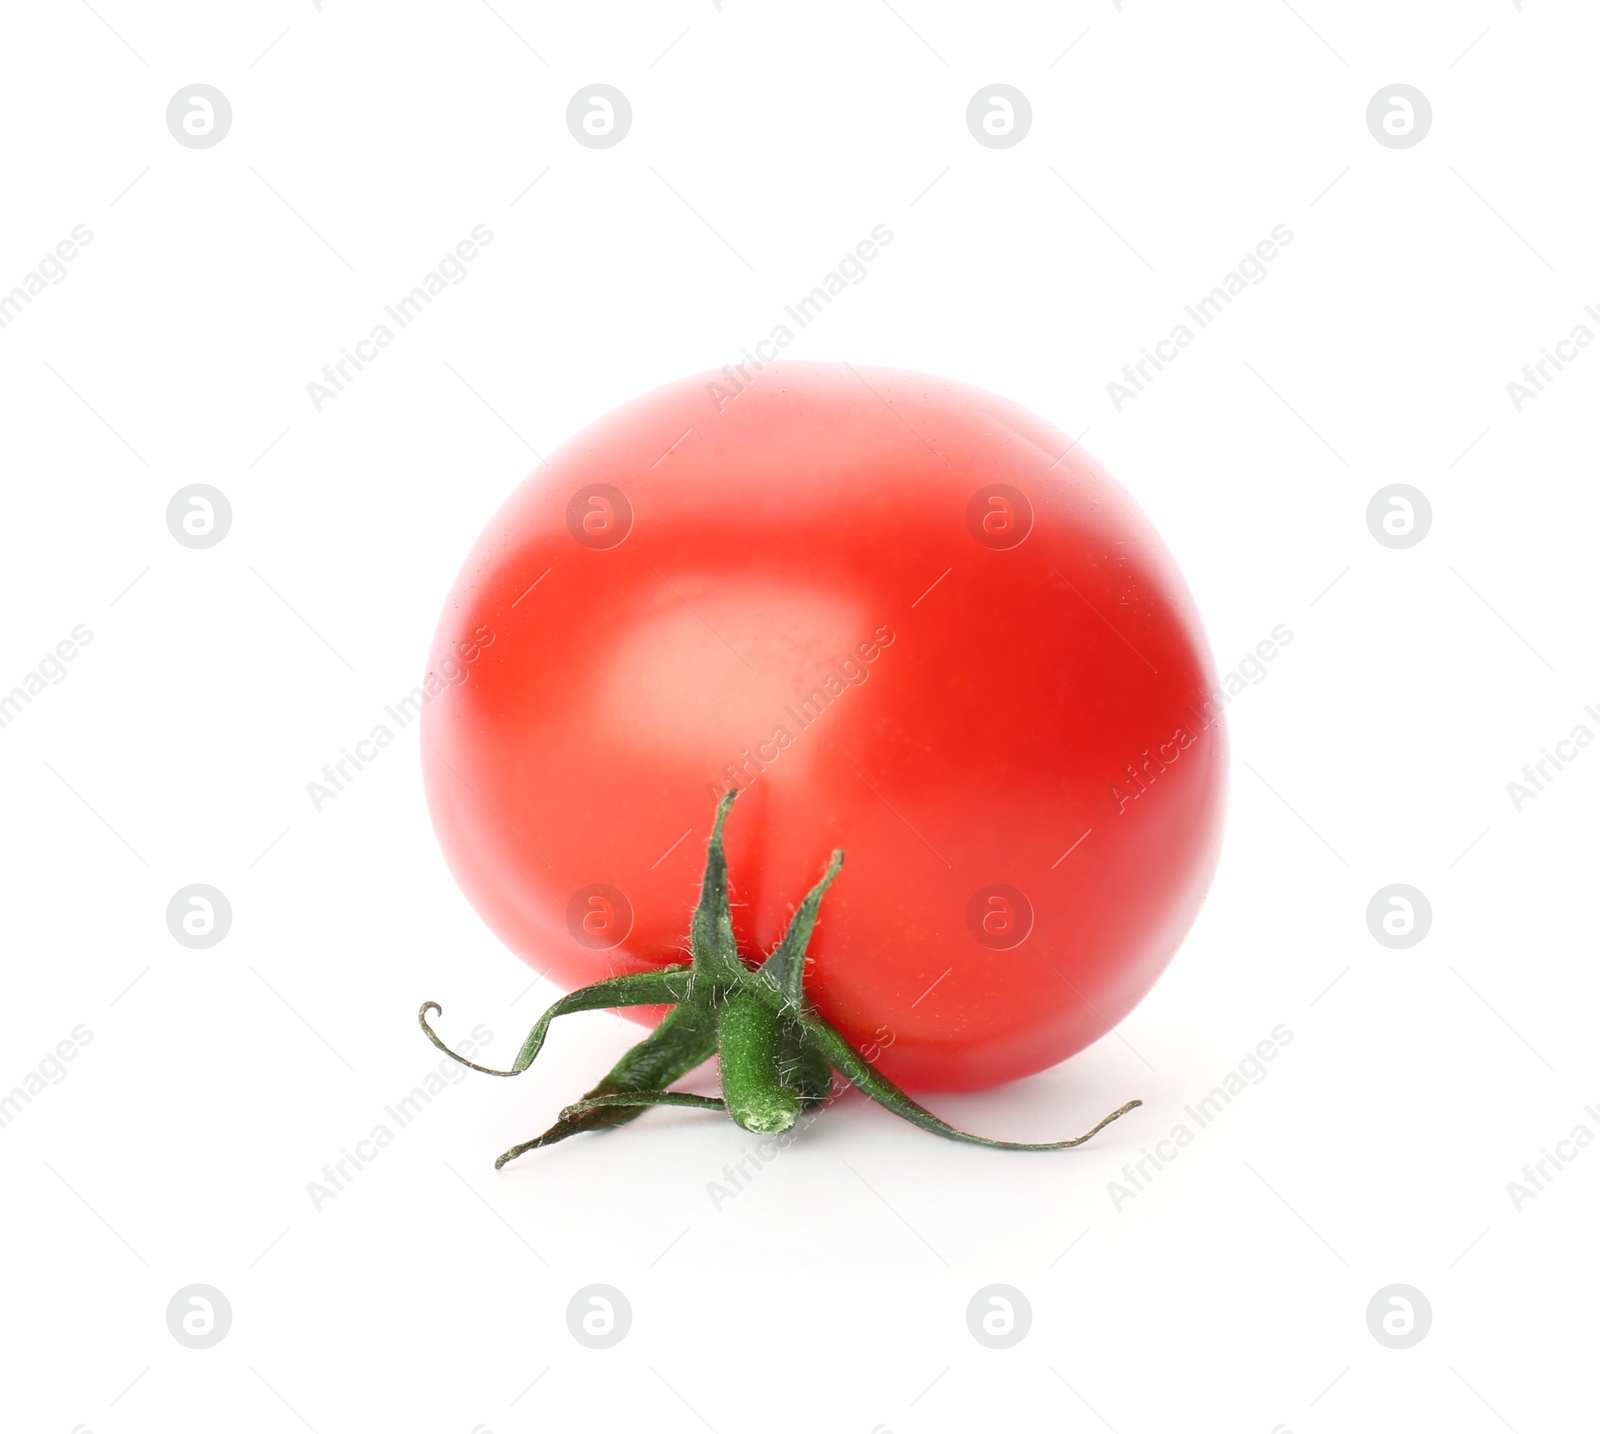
833, 558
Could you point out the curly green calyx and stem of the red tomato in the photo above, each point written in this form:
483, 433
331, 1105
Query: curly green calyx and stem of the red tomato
777, 1054
